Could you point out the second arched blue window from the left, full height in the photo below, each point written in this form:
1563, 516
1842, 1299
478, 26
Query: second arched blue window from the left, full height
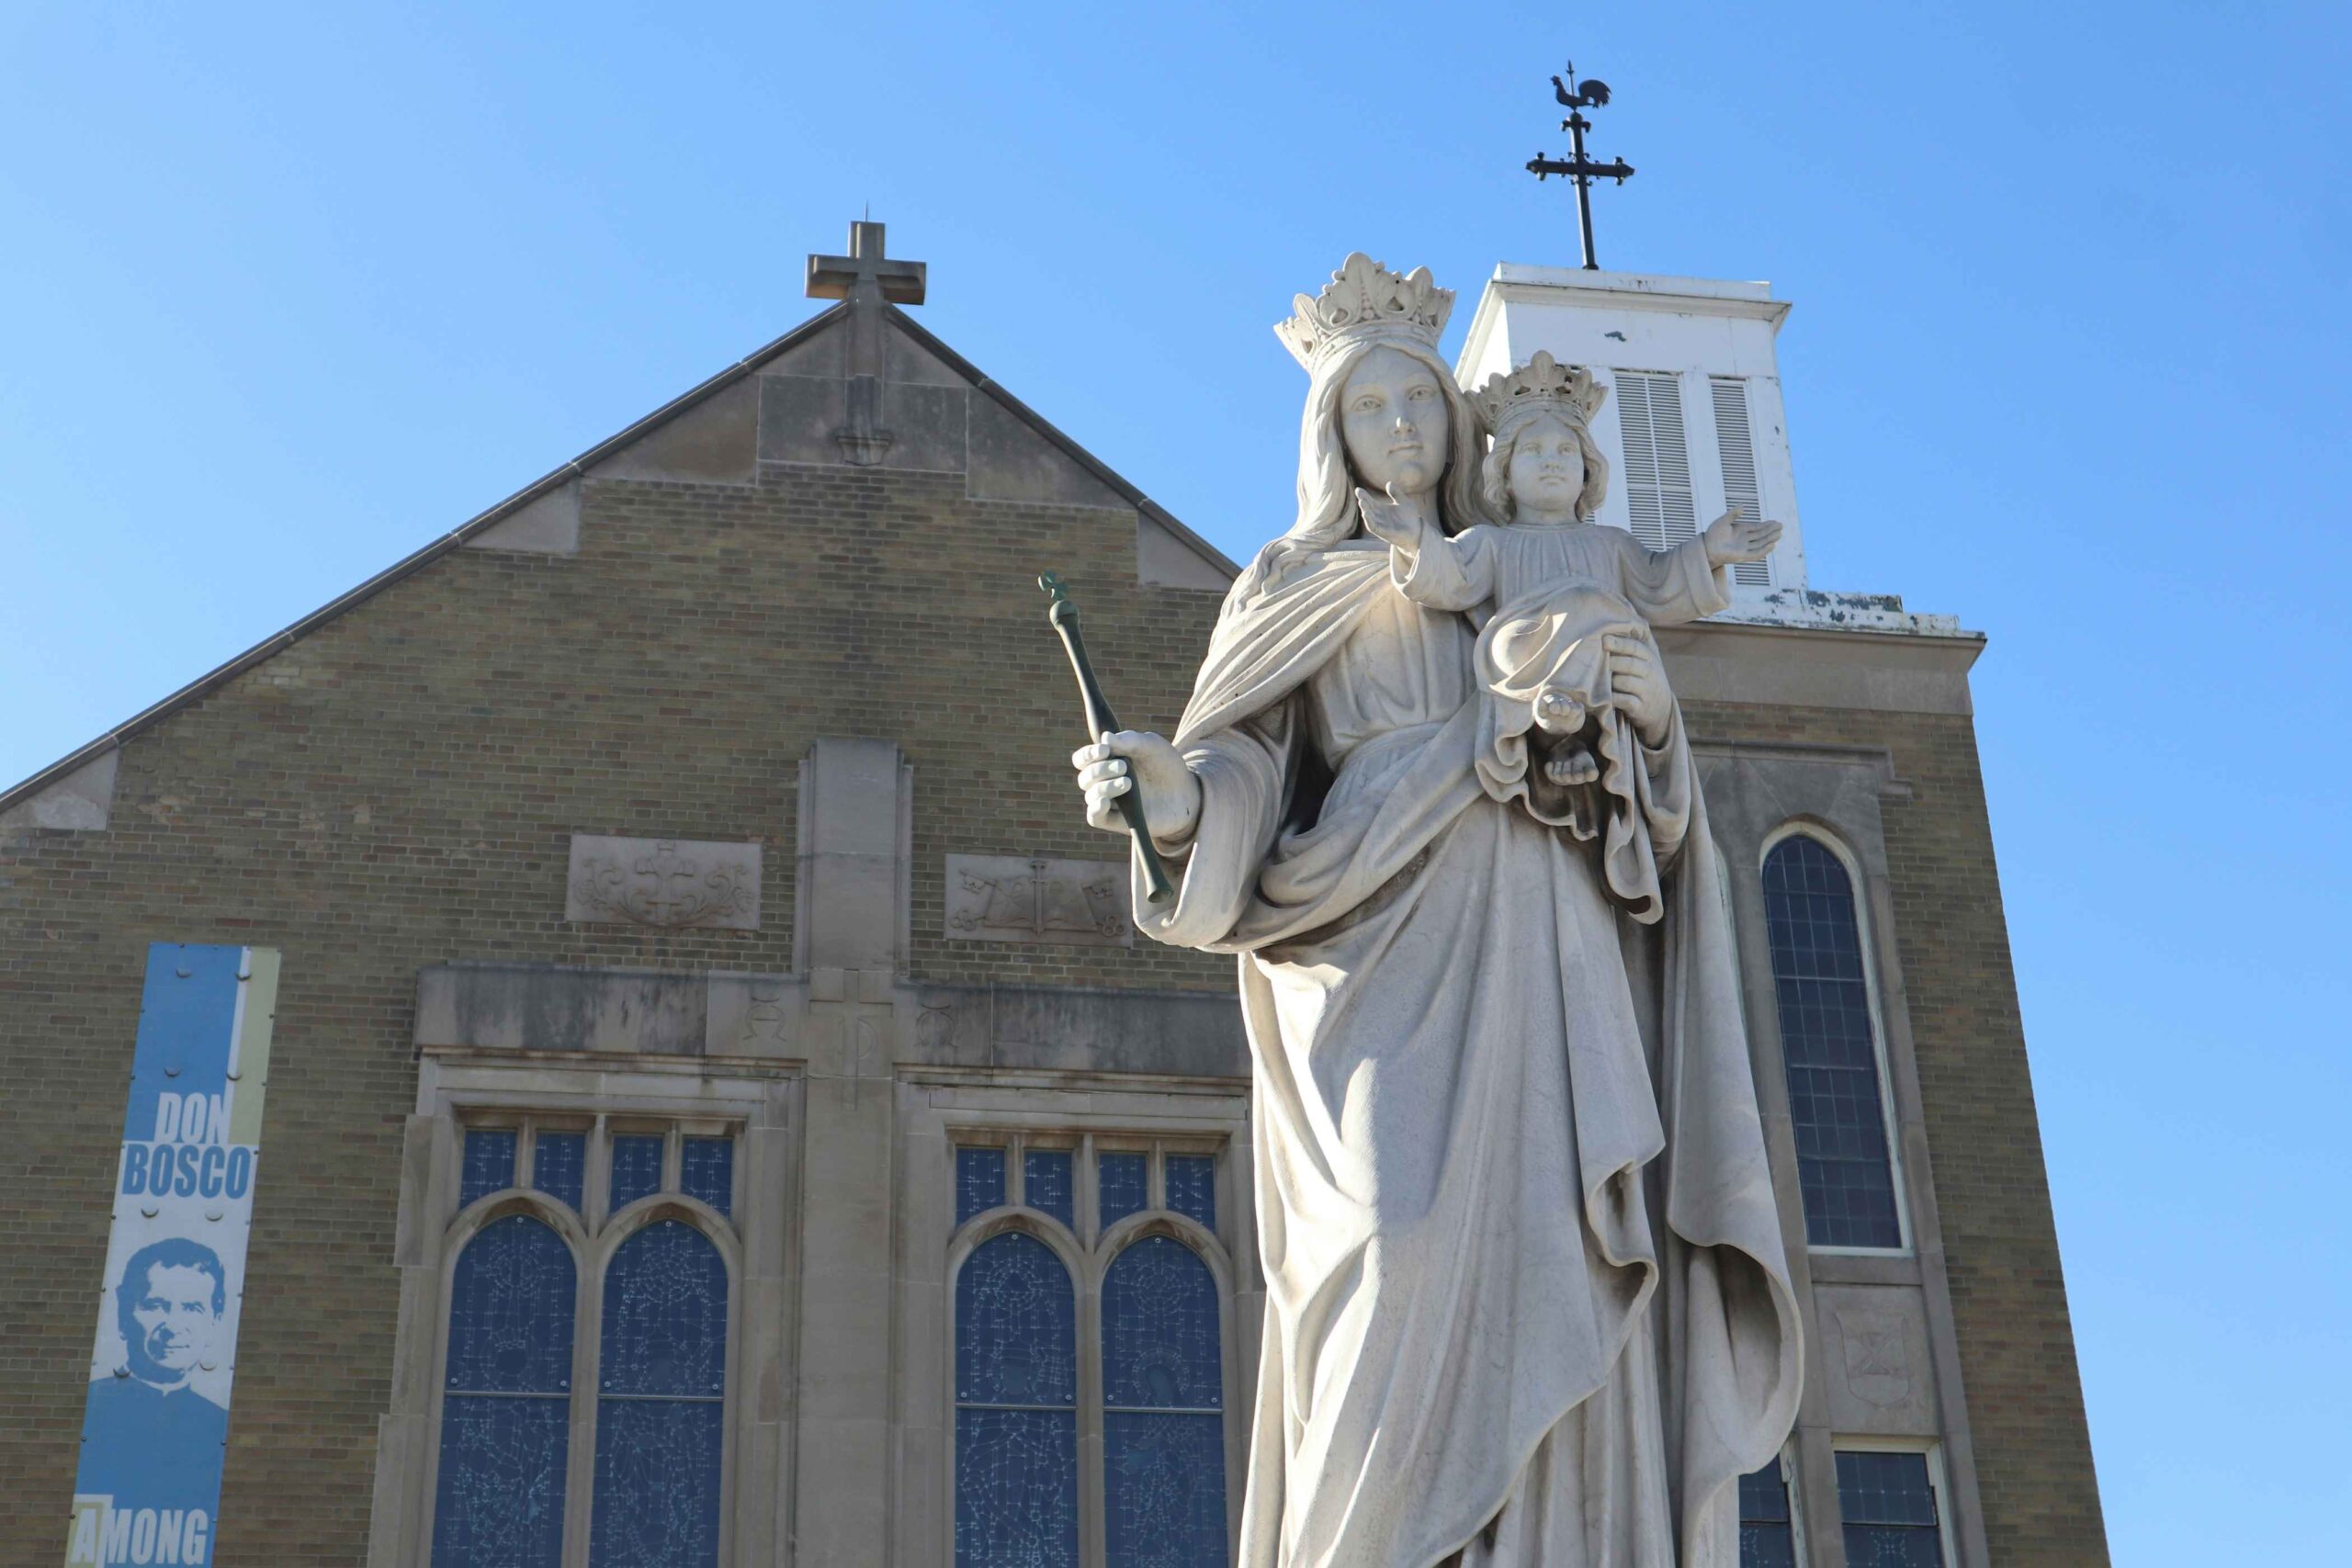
662, 1388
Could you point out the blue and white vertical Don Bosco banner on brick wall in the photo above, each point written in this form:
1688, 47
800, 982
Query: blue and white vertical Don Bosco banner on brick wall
149, 1485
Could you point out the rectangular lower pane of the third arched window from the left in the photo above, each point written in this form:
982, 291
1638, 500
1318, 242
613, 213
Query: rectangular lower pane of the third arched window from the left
1015, 1489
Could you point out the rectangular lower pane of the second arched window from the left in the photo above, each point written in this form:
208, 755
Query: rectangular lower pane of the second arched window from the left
657, 1485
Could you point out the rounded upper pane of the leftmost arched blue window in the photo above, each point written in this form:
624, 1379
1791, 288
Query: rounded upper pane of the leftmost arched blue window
512, 1311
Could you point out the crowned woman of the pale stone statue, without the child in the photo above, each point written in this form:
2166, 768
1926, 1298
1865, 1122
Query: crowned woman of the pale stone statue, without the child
1525, 1292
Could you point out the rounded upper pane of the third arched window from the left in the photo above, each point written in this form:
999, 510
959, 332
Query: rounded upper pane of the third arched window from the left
1015, 1327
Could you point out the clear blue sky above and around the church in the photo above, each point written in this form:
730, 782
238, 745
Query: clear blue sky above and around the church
293, 290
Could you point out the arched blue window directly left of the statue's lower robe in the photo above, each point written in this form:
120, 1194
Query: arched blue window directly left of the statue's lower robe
1163, 1409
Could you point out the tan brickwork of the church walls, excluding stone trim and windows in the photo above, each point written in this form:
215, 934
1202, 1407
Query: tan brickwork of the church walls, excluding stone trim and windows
650, 645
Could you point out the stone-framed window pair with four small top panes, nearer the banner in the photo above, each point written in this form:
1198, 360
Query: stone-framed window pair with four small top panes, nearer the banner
587, 1346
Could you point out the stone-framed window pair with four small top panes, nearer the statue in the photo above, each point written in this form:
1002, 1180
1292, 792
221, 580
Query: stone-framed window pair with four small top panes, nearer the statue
1090, 1320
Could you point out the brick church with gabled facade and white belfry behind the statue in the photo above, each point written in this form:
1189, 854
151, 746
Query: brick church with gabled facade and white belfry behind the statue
629, 1052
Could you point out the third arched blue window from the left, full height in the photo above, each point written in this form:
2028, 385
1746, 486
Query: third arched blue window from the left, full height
1015, 1409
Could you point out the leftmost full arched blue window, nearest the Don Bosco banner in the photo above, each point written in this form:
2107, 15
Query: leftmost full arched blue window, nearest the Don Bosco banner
507, 1400
